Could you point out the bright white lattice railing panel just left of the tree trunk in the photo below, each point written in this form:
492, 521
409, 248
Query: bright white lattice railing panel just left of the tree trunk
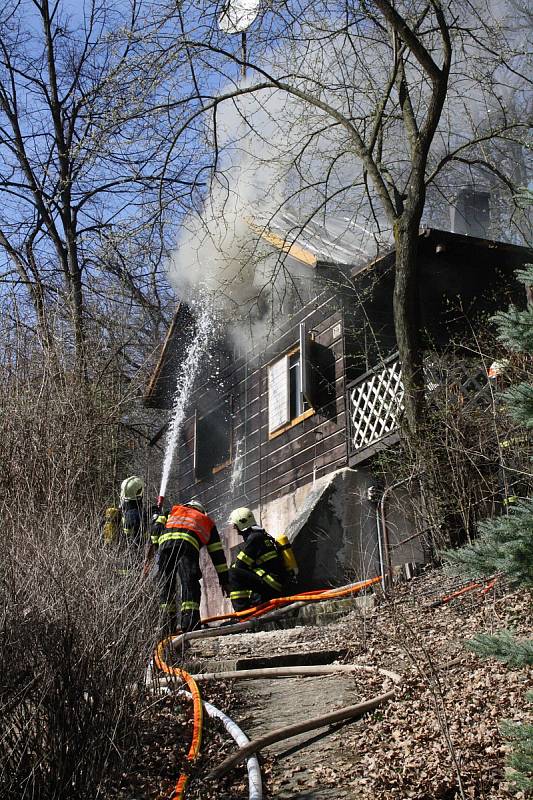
374, 403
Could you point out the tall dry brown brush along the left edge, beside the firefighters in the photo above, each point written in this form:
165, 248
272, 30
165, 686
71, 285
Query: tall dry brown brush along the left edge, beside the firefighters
75, 635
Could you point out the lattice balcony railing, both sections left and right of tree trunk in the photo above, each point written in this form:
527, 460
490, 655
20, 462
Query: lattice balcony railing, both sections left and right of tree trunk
375, 401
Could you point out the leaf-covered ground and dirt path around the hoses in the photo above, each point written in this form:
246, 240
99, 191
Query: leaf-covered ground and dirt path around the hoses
438, 739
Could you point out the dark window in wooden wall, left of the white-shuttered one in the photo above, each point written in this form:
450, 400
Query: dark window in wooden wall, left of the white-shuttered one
212, 441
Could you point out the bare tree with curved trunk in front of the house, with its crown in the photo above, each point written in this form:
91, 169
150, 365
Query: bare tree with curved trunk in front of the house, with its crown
383, 98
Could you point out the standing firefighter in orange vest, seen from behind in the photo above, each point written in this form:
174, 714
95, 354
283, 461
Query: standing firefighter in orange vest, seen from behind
178, 539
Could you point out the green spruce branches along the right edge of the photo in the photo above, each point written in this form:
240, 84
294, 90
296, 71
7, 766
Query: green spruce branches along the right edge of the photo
505, 544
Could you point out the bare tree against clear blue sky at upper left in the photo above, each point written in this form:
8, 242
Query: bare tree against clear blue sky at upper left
83, 121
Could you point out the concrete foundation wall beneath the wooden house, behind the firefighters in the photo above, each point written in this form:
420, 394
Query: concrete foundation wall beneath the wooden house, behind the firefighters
333, 528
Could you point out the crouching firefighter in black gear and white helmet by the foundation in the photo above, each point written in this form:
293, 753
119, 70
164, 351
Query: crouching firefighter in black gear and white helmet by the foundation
258, 573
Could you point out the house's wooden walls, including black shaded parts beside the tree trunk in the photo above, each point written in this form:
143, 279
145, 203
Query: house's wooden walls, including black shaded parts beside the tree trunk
453, 271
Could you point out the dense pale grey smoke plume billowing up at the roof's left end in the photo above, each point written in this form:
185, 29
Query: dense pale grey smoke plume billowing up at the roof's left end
221, 248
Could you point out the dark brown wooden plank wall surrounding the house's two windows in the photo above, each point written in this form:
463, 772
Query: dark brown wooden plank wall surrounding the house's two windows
271, 468
